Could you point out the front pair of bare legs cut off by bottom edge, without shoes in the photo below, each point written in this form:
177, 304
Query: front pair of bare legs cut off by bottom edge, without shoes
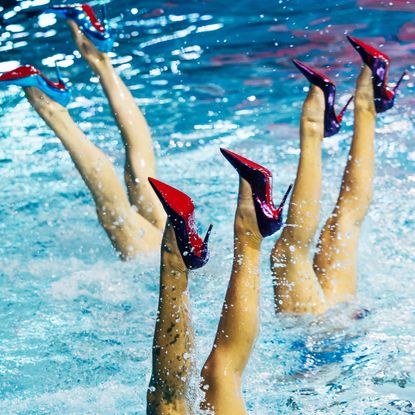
173, 338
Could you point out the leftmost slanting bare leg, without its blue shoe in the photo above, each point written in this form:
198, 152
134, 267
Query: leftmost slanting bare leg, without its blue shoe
129, 232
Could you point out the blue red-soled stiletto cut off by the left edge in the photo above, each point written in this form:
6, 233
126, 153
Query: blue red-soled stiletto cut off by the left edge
30, 76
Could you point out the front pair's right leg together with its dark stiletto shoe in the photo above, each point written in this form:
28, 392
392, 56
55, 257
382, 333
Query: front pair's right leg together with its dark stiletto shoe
255, 218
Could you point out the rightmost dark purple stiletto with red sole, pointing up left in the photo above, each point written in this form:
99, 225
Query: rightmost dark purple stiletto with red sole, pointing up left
378, 63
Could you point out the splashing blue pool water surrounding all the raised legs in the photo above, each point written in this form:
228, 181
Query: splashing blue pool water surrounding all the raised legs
76, 324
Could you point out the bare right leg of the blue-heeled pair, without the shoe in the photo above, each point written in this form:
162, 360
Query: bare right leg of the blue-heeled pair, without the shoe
140, 160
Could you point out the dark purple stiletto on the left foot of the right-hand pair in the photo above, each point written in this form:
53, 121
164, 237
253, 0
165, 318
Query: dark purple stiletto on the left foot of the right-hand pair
332, 122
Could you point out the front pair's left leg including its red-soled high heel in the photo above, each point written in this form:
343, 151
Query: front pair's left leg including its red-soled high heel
182, 249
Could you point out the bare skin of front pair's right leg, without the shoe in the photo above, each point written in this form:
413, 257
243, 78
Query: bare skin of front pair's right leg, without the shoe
238, 326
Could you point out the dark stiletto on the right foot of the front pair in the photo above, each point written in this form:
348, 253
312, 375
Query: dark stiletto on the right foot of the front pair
268, 217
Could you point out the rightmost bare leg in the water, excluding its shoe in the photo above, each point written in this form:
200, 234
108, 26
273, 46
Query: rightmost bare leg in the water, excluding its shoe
336, 260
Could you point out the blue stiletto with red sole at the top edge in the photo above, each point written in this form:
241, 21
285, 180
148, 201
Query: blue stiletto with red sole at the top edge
83, 15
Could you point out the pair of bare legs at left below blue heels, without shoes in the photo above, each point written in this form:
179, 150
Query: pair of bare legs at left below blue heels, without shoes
132, 220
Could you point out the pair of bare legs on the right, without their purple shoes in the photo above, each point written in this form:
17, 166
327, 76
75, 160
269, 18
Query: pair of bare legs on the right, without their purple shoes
303, 285
